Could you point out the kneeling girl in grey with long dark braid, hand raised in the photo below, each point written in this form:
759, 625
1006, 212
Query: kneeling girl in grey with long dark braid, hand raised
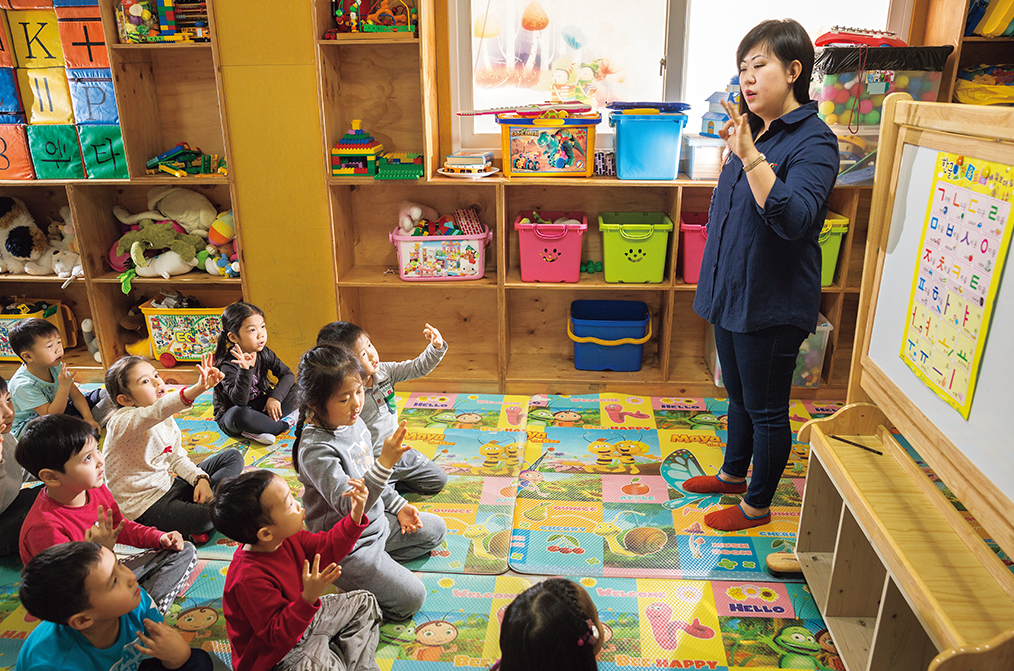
335, 446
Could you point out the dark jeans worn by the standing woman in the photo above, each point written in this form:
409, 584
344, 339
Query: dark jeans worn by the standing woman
758, 369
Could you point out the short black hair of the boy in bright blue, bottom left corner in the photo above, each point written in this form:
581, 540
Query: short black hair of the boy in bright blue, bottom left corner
53, 584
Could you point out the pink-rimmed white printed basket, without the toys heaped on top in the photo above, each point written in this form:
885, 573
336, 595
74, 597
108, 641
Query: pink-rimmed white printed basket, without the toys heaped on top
442, 258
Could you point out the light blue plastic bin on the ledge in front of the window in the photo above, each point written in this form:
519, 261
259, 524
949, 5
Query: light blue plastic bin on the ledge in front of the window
647, 145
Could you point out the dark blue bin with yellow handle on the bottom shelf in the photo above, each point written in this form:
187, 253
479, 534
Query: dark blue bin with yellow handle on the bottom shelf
609, 335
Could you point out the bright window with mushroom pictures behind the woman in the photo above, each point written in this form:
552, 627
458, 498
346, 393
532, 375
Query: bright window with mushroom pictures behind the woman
511, 52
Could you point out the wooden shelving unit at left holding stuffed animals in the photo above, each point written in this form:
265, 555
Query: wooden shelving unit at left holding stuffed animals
166, 94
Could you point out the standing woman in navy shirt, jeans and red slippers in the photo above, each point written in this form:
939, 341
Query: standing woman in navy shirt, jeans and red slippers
761, 274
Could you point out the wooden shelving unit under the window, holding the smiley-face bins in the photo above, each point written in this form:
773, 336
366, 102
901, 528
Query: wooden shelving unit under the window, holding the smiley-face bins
508, 336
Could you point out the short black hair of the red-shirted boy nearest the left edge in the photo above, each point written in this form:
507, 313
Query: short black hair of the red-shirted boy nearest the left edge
50, 441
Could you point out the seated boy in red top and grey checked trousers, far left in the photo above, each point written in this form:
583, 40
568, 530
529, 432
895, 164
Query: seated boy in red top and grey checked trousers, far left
63, 453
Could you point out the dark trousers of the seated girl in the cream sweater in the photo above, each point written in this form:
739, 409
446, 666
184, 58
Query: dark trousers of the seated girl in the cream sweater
176, 511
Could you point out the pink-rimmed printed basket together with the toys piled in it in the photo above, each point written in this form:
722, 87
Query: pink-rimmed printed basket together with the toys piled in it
449, 249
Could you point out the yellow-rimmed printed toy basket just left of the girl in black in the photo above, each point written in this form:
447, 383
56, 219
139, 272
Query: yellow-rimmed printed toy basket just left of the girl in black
182, 335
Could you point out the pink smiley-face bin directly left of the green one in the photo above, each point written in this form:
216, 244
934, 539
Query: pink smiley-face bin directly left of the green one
551, 253
